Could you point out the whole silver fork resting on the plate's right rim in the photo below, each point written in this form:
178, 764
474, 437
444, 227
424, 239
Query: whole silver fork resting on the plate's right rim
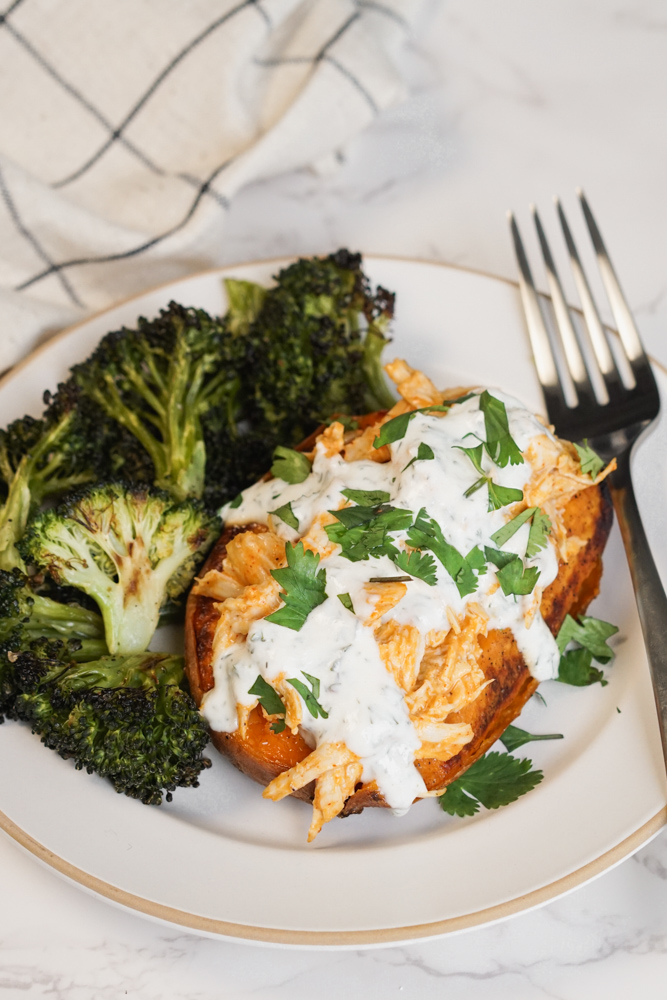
611, 400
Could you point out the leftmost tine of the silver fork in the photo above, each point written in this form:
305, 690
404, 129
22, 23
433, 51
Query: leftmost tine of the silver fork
543, 350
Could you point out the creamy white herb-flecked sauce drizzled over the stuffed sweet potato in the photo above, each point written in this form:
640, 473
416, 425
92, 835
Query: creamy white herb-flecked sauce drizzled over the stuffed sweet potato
366, 708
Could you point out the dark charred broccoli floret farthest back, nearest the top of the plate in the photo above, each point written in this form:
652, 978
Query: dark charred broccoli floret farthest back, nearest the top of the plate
315, 346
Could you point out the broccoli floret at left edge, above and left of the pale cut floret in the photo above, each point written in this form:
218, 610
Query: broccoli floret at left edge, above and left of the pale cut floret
40, 458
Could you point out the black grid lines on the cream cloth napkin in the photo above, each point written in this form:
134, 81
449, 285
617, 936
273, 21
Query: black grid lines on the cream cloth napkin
116, 134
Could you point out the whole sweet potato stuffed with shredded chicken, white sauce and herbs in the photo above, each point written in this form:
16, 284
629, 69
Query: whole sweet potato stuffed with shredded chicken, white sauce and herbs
416, 565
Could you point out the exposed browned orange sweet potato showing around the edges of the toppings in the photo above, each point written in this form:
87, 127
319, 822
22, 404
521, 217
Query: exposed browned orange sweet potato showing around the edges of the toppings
262, 754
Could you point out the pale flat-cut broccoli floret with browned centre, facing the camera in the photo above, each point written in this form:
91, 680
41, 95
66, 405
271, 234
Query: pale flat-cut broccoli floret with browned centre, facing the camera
130, 548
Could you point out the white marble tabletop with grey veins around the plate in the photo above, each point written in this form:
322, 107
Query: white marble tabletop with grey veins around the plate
510, 102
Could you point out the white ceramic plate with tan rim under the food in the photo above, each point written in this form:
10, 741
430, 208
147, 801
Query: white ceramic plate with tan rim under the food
221, 860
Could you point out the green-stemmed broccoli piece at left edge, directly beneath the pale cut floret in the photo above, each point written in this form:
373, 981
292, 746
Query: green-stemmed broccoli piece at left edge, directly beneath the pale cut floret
27, 616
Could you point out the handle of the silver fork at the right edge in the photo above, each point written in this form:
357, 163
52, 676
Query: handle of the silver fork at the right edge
649, 591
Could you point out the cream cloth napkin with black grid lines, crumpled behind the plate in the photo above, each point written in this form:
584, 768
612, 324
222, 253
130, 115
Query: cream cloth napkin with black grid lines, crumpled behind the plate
127, 128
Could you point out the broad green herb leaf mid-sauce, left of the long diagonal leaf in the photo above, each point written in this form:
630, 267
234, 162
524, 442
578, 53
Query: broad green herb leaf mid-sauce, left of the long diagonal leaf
363, 532
